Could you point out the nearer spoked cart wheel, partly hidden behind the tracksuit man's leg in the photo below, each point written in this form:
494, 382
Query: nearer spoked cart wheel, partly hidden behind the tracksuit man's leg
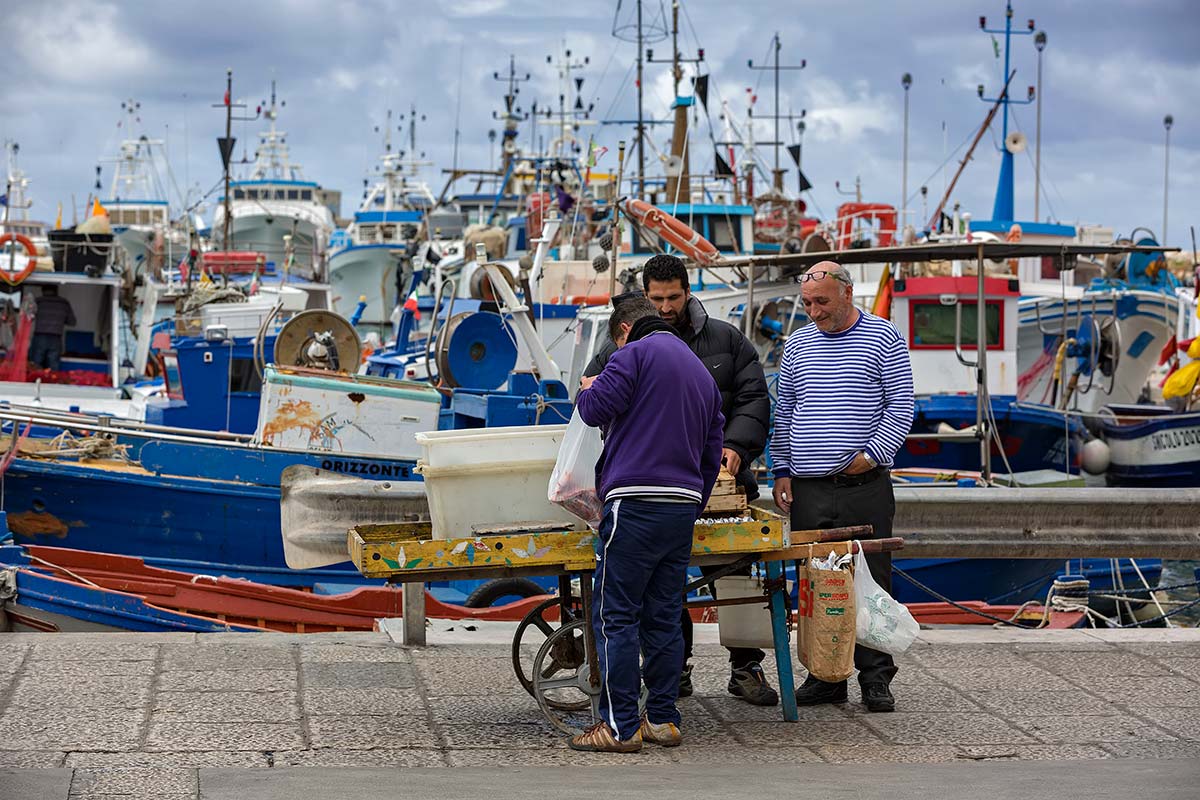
565, 694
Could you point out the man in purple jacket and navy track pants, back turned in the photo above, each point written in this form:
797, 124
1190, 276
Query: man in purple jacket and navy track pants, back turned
661, 413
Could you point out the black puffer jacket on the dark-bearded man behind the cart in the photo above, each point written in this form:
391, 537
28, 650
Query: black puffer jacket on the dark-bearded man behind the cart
734, 364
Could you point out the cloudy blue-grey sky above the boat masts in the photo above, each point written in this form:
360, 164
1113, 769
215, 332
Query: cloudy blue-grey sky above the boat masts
1112, 70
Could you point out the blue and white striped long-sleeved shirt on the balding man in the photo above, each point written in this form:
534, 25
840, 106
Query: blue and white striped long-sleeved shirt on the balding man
841, 395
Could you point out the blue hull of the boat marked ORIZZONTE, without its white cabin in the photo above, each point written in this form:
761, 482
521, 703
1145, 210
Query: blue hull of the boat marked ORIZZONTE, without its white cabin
196, 508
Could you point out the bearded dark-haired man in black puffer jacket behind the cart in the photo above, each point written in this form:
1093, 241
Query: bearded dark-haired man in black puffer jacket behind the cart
734, 363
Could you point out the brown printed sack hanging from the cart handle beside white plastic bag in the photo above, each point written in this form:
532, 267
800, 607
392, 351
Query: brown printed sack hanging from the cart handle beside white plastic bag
826, 623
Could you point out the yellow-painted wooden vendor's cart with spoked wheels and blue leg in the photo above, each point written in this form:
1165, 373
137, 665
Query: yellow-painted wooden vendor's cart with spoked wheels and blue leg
561, 672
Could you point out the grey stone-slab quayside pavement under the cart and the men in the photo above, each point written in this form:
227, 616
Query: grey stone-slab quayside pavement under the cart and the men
95, 715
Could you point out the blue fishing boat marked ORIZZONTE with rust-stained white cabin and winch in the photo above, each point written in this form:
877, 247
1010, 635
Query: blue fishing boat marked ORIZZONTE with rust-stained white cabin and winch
209, 502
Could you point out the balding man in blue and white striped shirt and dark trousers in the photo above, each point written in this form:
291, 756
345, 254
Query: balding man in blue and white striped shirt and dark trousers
845, 407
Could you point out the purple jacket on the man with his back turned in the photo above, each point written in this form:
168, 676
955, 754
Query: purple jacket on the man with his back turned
661, 412
